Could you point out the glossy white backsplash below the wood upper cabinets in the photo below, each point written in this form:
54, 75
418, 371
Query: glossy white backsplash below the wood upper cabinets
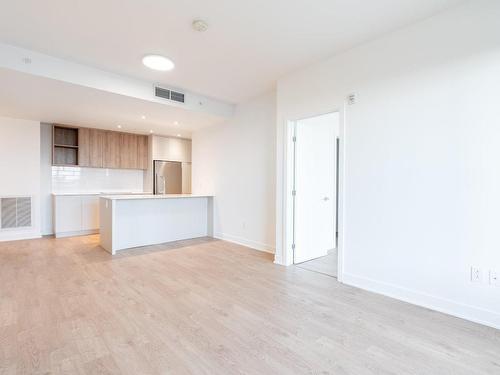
79, 179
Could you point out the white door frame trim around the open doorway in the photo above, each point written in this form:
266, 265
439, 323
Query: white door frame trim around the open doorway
288, 167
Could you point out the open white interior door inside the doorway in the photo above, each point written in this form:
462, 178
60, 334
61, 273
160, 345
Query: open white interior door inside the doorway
315, 186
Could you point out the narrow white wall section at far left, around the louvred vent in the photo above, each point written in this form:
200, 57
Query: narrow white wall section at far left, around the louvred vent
20, 170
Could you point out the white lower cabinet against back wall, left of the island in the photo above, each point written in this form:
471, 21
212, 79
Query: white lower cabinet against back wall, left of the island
75, 215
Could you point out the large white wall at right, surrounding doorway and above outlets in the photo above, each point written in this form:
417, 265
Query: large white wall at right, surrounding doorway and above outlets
422, 145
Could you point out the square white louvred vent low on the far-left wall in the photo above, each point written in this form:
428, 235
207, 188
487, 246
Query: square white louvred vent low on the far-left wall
15, 212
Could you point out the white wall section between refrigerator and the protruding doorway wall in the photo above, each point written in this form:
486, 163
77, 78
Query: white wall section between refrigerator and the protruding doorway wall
235, 161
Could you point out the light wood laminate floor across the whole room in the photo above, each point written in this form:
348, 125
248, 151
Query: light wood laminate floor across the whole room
211, 307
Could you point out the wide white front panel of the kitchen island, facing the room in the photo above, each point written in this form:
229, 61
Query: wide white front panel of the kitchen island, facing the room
142, 222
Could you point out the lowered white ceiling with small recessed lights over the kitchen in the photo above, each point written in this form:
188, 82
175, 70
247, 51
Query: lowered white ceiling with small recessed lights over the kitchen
30, 97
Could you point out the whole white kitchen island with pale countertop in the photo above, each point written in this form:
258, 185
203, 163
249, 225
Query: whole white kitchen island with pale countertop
128, 221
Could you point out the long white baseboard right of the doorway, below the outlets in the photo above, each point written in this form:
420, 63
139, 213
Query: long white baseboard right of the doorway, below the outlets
472, 313
